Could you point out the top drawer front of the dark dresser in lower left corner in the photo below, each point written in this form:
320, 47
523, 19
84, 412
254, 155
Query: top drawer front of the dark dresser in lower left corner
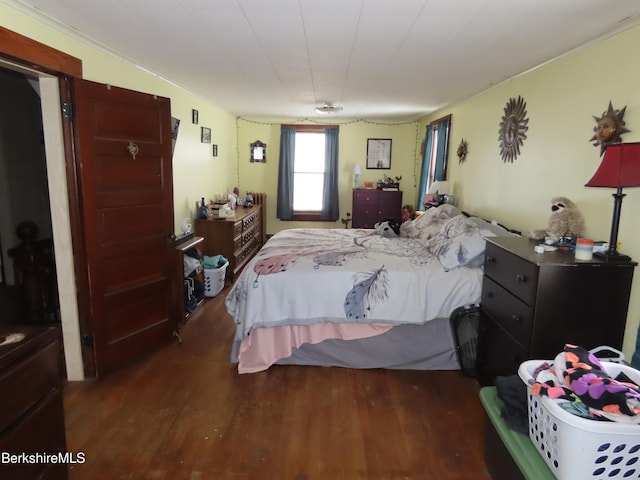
25, 387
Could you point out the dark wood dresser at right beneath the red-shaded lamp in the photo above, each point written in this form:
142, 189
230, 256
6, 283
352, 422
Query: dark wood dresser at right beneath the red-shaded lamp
534, 303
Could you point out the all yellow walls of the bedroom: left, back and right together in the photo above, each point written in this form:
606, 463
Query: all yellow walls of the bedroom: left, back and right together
556, 159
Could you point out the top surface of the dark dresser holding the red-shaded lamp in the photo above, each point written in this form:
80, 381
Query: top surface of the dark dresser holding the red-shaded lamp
524, 248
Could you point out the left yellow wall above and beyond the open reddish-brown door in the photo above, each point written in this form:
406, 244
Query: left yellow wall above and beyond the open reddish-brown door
196, 172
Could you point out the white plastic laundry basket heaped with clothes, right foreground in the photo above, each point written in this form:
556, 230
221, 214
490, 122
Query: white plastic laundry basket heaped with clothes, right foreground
577, 448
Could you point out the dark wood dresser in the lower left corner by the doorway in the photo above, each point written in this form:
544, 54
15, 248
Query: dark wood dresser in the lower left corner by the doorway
32, 412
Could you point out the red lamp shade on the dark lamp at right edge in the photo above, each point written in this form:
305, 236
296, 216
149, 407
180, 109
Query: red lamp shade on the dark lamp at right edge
620, 167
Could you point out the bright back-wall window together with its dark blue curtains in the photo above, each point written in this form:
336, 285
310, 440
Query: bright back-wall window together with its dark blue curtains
308, 173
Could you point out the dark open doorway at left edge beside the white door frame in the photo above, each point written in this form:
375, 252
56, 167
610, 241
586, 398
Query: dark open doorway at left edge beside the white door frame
24, 198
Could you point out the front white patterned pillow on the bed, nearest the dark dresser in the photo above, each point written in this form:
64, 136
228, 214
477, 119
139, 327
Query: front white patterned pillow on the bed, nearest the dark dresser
458, 243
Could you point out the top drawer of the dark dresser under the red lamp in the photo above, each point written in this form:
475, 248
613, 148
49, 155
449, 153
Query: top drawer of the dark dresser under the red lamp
514, 273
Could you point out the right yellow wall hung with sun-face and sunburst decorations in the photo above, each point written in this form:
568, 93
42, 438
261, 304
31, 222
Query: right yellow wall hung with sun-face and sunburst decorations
557, 158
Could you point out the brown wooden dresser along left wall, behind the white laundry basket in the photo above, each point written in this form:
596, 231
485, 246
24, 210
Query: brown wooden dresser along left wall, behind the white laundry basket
237, 238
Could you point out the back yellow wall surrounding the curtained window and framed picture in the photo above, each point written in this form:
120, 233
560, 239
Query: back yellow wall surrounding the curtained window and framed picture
262, 177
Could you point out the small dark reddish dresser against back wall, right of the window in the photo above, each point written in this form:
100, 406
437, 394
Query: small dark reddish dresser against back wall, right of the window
372, 206
